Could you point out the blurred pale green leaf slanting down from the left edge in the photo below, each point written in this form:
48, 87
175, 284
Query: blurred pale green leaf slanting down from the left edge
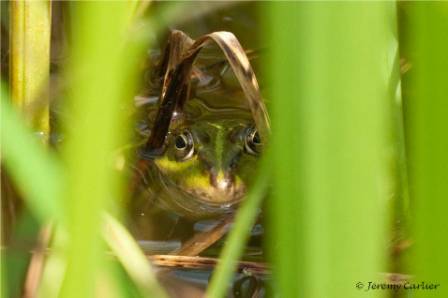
36, 172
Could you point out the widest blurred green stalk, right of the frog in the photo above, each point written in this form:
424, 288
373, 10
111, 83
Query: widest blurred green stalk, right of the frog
329, 69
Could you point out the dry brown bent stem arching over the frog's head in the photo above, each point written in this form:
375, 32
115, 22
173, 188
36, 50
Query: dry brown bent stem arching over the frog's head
178, 62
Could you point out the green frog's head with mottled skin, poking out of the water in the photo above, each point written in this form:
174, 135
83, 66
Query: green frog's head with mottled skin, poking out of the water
211, 174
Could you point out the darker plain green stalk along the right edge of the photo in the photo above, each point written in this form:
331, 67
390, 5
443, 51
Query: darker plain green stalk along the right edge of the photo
424, 32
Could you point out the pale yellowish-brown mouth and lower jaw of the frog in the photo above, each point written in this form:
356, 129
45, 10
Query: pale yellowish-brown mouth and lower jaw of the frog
222, 195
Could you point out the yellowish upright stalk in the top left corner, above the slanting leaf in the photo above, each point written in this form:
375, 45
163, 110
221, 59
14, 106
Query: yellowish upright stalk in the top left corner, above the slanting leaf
30, 29
